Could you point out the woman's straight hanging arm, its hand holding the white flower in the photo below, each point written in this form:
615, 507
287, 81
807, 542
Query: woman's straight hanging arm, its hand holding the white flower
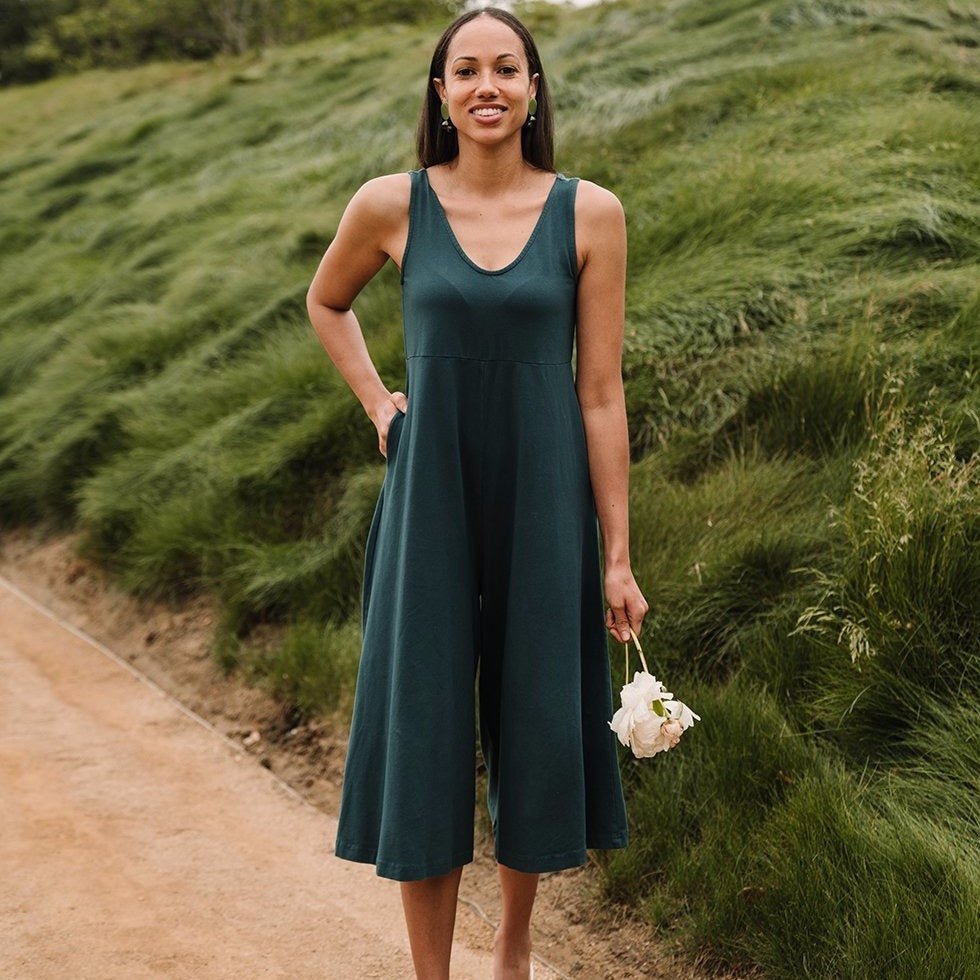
601, 245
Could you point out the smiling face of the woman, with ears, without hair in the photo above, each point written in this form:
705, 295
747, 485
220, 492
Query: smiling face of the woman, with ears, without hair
486, 81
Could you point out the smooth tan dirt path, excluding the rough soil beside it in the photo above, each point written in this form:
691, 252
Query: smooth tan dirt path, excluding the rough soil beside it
139, 843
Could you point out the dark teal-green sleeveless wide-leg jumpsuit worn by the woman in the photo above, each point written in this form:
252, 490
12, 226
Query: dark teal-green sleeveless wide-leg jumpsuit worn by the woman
482, 558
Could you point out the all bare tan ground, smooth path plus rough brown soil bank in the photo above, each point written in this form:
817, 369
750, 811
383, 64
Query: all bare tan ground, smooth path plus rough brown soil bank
232, 873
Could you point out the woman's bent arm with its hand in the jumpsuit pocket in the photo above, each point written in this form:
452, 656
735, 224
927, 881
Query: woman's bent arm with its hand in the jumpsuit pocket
374, 228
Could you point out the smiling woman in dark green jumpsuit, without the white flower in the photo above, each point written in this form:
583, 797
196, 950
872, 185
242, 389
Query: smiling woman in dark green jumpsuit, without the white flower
483, 552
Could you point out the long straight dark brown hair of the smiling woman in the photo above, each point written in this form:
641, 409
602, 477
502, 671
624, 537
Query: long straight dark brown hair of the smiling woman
438, 145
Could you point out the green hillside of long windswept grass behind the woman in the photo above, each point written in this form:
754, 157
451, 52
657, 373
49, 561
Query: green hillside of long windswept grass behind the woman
801, 362
